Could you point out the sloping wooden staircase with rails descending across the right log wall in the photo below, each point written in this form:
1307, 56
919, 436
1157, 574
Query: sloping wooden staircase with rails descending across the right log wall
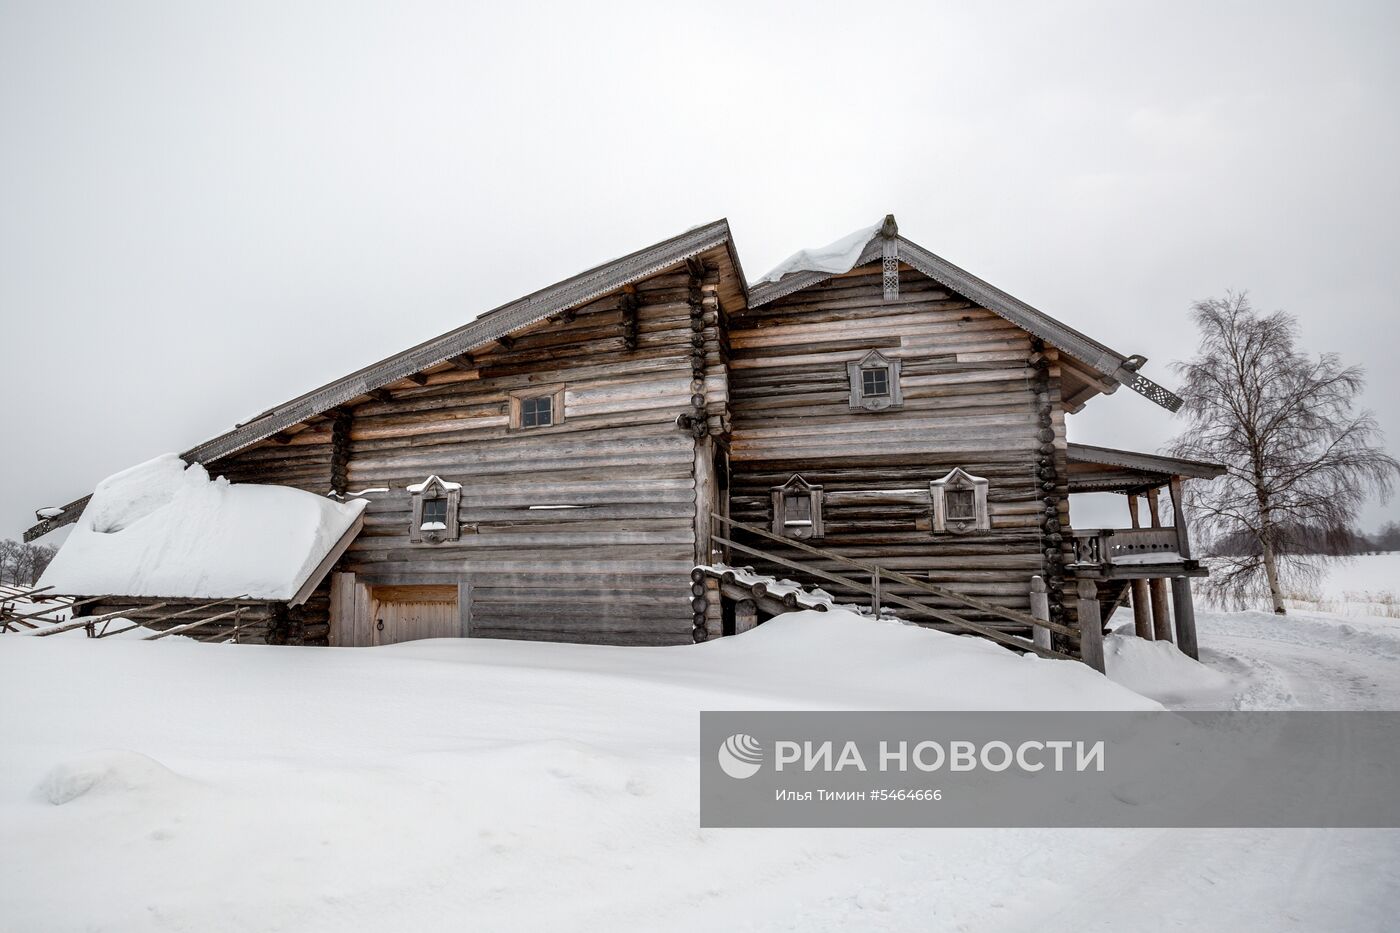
919, 600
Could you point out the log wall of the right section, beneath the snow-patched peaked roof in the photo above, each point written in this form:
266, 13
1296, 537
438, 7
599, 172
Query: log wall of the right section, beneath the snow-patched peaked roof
974, 397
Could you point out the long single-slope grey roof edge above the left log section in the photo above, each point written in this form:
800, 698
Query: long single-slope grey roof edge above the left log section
484, 330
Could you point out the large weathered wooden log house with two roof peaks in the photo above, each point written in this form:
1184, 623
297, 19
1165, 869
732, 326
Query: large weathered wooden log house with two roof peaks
577, 464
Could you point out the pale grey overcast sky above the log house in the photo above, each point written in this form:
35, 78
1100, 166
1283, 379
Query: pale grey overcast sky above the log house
208, 209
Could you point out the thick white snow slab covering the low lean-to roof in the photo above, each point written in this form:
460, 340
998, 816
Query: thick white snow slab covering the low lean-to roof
164, 530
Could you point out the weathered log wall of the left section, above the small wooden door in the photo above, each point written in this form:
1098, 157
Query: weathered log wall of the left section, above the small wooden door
610, 562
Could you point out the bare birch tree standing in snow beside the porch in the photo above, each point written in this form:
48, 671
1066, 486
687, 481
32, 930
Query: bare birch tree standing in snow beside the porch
1301, 457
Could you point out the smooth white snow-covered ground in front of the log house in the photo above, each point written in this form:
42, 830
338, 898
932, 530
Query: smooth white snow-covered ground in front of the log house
523, 787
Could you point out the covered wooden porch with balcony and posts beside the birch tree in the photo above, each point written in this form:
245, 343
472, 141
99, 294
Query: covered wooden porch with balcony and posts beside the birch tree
1140, 560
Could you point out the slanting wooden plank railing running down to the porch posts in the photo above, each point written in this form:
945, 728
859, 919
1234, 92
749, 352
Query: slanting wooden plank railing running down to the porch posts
880, 593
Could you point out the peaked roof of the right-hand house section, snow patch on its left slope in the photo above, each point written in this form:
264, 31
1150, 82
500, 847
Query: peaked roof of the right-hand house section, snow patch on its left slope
1107, 365
